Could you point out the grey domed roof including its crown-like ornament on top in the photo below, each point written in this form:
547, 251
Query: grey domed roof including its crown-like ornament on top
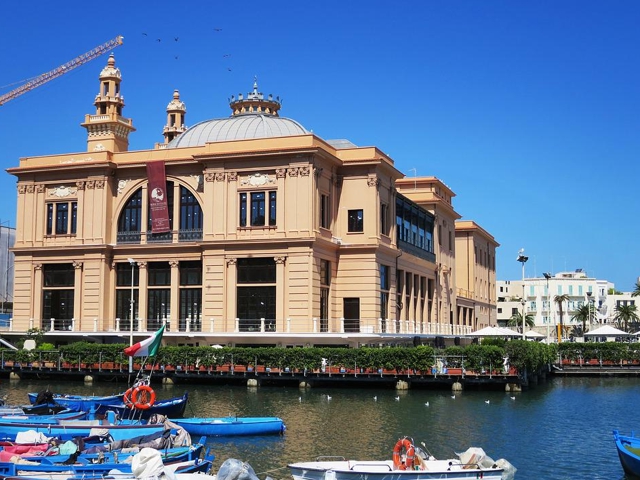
253, 117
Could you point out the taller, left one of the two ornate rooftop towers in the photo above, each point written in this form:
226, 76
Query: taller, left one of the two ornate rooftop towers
108, 129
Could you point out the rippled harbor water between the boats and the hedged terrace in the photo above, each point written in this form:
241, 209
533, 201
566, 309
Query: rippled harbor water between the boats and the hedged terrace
558, 430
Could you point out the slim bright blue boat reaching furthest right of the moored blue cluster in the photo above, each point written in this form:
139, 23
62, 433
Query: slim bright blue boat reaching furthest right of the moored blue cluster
231, 426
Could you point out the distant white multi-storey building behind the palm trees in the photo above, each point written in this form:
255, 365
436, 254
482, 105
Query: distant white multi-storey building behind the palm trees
536, 296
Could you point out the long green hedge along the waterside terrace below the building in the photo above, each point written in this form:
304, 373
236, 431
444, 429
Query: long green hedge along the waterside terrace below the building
522, 354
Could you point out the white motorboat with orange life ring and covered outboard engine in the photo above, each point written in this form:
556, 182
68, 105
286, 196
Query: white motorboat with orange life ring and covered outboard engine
408, 462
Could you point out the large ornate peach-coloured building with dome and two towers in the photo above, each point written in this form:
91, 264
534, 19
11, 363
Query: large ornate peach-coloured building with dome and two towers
271, 235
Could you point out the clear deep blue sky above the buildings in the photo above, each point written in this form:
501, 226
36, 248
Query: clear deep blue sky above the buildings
528, 110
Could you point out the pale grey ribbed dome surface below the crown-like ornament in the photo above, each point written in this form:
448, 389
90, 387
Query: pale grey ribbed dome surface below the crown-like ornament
237, 127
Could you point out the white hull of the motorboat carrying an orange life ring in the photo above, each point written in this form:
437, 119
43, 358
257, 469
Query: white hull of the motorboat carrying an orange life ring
383, 470
